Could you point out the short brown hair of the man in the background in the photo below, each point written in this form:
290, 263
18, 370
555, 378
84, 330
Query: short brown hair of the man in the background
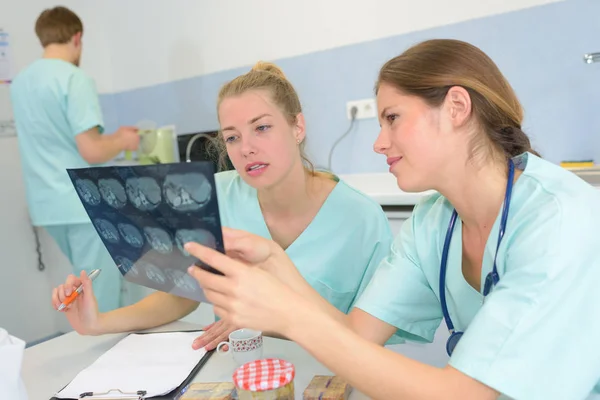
57, 26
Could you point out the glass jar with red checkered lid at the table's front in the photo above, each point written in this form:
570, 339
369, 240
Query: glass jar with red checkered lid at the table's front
268, 379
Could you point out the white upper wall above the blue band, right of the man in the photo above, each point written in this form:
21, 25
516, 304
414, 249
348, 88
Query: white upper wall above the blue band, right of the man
157, 41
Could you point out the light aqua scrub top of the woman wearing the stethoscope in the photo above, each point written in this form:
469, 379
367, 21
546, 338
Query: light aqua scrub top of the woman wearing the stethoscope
537, 335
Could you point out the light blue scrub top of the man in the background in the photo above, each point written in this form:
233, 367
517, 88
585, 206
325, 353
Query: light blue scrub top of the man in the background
53, 101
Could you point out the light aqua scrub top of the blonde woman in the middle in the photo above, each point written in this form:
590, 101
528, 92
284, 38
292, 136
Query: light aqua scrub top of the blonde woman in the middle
340, 249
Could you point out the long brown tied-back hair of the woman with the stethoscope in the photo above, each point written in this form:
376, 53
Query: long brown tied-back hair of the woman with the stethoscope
429, 69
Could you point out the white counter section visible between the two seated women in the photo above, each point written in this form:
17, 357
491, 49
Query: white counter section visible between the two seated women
382, 187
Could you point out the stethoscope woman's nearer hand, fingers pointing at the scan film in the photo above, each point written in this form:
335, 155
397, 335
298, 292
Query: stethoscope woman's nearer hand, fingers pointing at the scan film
245, 296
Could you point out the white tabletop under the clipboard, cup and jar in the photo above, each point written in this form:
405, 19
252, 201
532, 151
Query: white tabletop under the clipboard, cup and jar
49, 366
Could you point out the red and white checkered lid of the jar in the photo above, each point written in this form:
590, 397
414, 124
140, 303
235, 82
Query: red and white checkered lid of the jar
263, 375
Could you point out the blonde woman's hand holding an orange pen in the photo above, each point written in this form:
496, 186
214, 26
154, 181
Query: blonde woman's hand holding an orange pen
82, 313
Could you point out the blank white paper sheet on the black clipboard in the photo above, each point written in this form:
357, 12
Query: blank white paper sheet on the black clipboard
156, 362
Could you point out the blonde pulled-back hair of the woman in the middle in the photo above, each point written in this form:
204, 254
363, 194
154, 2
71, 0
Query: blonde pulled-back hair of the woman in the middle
264, 76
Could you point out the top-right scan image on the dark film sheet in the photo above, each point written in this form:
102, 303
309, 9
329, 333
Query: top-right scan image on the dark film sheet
187, 192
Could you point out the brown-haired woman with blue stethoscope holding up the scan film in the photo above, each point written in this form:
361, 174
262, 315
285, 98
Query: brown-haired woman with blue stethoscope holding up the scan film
517, 285
